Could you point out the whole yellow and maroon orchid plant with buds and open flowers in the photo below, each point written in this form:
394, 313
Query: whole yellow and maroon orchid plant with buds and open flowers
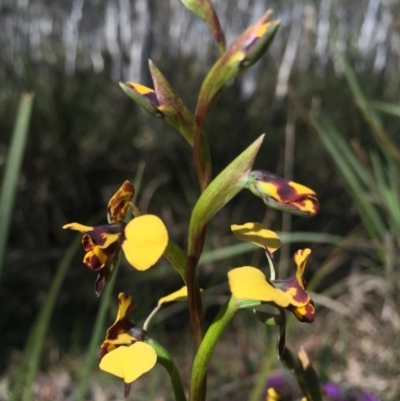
129, 351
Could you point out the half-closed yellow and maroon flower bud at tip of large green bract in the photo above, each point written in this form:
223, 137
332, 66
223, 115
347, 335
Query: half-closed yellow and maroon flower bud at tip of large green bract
282, 194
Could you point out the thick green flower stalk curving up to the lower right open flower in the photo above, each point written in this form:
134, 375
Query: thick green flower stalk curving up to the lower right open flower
207, 347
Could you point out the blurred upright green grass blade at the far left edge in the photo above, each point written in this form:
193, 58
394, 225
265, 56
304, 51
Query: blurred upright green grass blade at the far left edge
13, 166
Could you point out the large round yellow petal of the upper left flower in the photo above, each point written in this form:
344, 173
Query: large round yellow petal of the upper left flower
146, 240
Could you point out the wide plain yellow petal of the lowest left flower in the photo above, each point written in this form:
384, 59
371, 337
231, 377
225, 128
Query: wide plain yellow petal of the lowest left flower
130, 362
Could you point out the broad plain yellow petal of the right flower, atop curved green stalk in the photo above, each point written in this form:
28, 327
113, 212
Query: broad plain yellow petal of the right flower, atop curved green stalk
250, 283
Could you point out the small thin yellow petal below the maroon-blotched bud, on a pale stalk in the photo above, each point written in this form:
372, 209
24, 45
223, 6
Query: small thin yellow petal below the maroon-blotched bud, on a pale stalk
257, 234
